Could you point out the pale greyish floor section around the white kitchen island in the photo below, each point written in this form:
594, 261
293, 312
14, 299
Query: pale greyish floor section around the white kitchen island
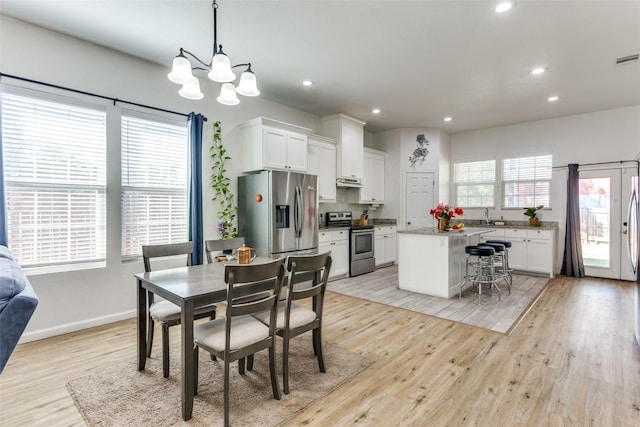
497, 315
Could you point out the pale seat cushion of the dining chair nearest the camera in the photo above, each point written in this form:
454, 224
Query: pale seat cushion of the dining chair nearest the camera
245, 330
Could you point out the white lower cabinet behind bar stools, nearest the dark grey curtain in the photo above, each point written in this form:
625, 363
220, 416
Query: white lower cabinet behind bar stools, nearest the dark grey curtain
531, 250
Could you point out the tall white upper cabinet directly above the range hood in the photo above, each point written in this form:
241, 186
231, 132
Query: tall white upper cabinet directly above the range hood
350, 135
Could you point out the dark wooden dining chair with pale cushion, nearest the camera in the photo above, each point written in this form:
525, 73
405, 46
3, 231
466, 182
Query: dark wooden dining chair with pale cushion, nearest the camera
239, 334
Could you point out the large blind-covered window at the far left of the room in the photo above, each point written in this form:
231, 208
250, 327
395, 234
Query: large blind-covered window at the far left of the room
54, 156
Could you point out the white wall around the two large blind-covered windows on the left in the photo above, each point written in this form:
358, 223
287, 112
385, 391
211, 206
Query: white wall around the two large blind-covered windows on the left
79, 299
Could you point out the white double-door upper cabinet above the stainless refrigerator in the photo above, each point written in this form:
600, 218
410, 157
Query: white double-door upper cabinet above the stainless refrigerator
270, 144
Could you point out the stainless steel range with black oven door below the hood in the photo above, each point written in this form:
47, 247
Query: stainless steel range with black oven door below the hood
361, 242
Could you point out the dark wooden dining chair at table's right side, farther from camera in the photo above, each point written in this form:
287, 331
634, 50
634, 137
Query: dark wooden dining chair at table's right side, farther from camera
294, 318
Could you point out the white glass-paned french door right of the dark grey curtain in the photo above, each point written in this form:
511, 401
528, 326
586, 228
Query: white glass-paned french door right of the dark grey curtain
609, 222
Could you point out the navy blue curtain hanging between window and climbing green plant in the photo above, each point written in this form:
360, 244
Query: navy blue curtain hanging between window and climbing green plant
195, 186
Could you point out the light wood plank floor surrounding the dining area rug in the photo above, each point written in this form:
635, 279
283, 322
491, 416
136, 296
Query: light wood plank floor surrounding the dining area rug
573, 360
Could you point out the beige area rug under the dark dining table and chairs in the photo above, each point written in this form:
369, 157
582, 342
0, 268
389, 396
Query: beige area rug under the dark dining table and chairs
120, 395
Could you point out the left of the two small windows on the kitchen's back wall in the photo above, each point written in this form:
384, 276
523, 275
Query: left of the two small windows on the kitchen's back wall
474, 182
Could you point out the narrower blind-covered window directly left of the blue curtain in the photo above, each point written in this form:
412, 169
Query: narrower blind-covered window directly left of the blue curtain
154, 183
